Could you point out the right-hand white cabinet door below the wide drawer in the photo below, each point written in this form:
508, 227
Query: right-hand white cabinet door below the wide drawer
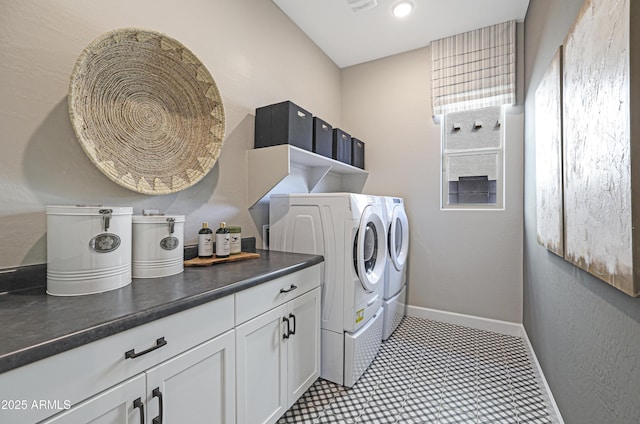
196, 386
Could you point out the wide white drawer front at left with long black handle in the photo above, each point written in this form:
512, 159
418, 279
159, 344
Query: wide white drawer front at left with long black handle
74, 375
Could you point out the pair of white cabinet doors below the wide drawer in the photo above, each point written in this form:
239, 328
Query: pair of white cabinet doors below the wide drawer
196, 384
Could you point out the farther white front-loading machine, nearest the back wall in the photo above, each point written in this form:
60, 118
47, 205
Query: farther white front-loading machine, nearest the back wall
395, 290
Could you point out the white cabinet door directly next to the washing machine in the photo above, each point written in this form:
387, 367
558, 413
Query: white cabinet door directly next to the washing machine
303, 346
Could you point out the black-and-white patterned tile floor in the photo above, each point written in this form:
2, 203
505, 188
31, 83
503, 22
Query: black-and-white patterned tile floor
433, 372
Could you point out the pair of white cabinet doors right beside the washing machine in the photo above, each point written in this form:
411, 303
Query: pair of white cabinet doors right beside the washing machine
278, 358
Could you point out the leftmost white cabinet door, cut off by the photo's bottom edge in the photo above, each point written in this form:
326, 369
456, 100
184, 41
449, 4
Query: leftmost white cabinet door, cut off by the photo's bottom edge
121, 404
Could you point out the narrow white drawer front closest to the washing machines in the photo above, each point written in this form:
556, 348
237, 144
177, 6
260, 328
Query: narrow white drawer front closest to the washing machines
259, 299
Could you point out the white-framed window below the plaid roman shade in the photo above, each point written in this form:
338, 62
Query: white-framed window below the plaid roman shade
472, 159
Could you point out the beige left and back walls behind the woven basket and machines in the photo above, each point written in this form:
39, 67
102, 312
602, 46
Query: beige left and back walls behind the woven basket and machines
257, 56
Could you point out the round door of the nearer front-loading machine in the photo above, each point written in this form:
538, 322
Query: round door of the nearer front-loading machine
369, 249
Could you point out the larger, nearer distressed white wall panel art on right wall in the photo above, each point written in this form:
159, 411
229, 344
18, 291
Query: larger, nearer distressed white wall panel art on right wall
602, 143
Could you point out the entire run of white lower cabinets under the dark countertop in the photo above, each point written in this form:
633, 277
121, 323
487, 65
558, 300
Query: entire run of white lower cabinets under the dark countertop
242, 358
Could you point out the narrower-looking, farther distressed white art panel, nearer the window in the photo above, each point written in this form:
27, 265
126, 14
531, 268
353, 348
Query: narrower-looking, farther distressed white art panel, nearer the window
548, 130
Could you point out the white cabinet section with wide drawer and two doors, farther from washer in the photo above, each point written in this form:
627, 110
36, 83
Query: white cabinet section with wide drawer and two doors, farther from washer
101, 382
